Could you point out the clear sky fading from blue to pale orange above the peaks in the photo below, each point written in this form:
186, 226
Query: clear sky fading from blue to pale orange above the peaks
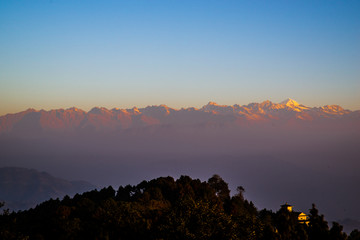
59, 54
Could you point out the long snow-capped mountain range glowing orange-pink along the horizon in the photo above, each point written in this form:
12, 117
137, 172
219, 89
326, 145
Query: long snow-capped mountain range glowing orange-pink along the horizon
286, 113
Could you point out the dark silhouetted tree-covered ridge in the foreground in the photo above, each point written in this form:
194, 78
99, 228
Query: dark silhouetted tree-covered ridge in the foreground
164, 209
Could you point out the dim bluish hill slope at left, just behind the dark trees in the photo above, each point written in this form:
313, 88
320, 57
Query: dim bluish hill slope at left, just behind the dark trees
22, 188
